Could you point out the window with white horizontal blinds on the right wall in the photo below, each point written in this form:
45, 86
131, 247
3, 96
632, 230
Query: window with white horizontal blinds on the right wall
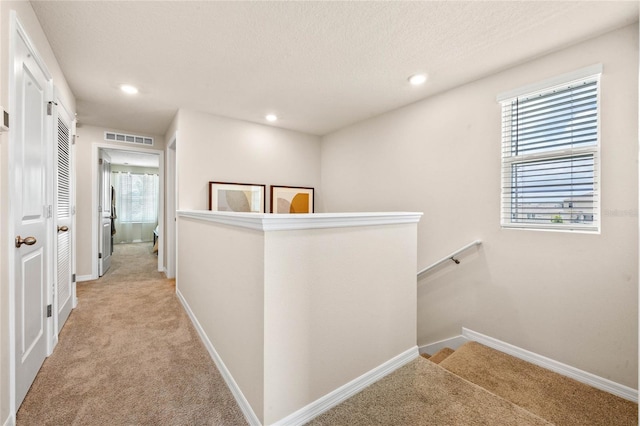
550, 154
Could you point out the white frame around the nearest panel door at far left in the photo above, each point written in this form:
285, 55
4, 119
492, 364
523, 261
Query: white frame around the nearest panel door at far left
16, 30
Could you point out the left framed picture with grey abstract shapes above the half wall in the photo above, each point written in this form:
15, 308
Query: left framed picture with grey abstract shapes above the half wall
236, 197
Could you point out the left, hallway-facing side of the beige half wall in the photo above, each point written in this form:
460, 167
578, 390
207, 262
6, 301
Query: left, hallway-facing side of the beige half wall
227, 297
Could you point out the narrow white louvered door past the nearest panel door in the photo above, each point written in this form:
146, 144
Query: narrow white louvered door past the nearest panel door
63, 209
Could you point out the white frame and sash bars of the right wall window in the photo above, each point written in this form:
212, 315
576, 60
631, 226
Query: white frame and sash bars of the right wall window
508, 159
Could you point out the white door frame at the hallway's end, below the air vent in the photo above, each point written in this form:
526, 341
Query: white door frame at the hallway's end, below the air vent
95, 149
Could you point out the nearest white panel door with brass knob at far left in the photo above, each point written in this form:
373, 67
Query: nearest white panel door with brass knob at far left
31, 215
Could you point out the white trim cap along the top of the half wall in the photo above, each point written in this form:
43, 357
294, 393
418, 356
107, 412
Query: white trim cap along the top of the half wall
288, 222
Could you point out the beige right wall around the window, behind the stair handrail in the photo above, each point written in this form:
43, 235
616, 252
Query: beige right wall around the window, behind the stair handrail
570, 297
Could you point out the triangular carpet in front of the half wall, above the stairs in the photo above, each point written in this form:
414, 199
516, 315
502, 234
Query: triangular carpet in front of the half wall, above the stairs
422, 393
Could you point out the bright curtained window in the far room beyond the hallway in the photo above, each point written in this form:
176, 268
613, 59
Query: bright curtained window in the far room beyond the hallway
136, 197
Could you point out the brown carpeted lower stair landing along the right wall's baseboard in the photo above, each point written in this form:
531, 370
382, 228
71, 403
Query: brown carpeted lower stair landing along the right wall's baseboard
549, 395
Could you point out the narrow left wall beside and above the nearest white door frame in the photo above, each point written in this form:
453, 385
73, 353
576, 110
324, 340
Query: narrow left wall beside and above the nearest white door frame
30, 23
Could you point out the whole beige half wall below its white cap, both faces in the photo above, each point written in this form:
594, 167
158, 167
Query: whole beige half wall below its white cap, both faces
296, 312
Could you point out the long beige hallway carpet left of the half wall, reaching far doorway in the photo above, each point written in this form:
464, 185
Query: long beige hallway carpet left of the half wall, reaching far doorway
129, 355
